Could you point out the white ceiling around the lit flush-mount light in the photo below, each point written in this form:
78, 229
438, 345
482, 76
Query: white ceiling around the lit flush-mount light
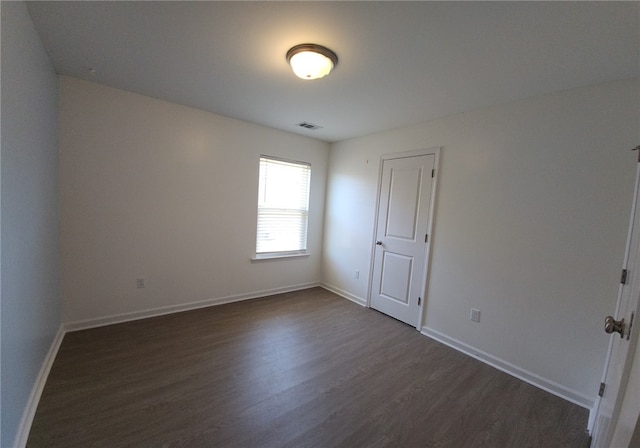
400, 62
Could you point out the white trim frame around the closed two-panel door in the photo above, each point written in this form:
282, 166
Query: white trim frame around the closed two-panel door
435, 151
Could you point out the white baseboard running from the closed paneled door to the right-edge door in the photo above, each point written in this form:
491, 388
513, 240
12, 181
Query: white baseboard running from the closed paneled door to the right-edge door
536, 380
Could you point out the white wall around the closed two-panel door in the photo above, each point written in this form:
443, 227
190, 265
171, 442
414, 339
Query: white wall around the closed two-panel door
530, 225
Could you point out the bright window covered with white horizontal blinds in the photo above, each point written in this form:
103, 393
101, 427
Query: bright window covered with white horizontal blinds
283, 207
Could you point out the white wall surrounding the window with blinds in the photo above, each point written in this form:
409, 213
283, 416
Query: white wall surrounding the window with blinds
156, 190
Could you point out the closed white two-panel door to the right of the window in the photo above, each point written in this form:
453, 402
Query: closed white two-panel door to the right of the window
401, 251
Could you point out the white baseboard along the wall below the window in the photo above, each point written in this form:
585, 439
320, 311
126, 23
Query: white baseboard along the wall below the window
153, 312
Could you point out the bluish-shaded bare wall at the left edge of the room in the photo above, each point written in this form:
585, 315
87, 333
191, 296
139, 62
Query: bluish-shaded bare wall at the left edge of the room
31, 308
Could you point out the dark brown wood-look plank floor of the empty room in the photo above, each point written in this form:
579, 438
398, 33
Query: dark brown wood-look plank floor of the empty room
302, 369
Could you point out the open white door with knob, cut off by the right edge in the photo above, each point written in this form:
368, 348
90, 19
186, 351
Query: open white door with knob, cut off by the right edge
623, 338
